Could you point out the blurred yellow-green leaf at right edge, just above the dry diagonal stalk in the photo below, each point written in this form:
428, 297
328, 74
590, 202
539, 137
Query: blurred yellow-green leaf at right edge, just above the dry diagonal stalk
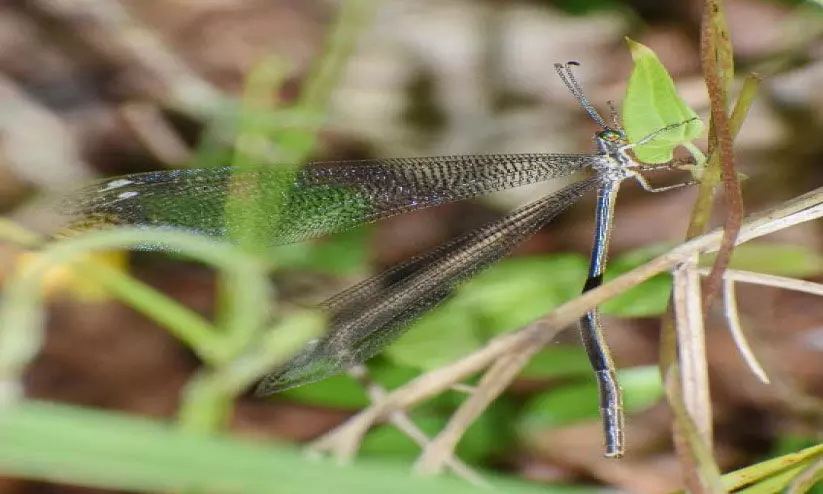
778, 259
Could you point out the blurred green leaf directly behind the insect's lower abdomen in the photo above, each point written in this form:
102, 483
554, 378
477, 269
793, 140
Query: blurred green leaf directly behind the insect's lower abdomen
576, 402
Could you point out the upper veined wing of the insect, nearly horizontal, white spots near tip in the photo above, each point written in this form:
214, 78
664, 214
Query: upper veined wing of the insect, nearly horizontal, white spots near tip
312, 200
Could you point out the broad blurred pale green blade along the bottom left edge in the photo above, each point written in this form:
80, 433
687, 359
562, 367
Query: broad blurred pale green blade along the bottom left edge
71, 445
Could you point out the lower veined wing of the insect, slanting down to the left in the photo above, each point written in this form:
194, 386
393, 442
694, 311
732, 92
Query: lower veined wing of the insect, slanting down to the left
371, 315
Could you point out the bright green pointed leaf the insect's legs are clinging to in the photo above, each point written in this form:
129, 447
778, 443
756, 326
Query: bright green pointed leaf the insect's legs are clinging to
651, 103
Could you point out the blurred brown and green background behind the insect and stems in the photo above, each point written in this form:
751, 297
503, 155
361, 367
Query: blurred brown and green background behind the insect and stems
102, 88
